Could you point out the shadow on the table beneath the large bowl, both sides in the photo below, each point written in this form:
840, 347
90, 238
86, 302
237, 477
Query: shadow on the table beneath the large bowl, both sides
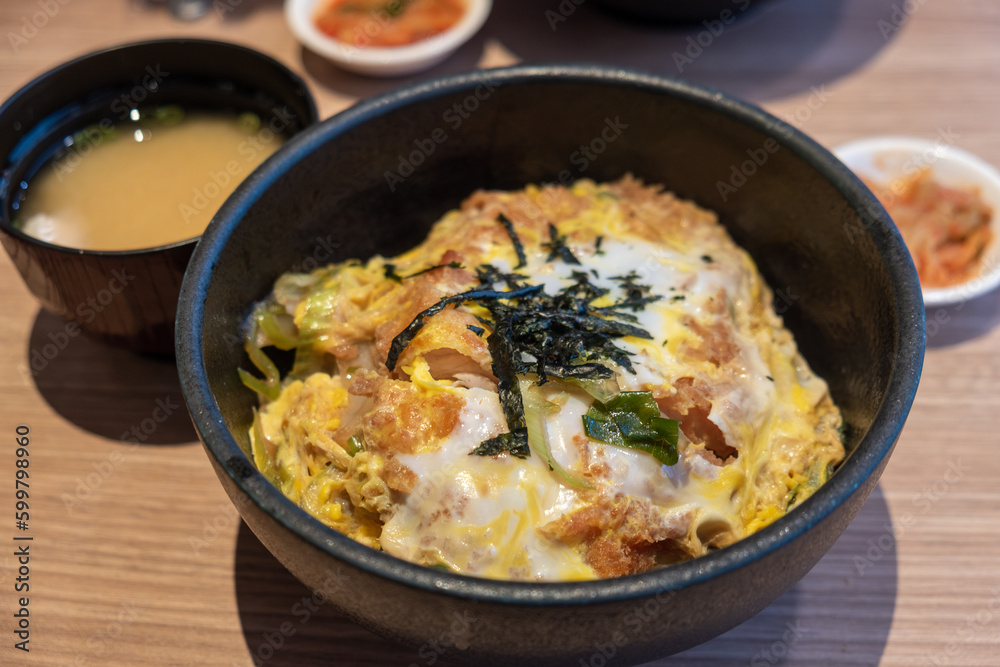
845, 604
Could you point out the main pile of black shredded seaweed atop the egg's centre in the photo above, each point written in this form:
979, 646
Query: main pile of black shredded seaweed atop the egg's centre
560, 336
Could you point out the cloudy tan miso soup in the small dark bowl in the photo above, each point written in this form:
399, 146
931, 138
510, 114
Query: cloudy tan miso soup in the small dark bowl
155, 180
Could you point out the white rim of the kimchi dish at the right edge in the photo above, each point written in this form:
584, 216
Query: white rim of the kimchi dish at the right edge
985, 176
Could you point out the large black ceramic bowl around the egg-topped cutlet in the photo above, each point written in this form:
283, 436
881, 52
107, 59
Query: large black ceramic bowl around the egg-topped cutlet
374, 178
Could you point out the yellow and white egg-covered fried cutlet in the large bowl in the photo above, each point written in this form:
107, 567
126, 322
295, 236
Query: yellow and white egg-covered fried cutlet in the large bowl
382, 453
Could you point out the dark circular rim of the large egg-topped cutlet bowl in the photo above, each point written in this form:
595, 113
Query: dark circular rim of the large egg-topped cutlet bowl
869, 455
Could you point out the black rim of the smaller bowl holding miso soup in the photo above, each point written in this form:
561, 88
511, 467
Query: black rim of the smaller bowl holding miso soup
40, 80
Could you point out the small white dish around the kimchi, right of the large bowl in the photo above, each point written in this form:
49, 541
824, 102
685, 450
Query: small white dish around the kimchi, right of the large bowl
883, 159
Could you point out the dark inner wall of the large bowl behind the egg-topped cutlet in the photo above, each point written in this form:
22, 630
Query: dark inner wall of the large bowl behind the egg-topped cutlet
375, 179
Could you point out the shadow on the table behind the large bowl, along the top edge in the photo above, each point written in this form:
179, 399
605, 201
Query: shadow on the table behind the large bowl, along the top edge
782, 48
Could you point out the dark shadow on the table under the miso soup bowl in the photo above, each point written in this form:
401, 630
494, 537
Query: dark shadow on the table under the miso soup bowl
104, 389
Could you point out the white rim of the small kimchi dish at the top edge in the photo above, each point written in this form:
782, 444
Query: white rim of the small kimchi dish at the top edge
384, 61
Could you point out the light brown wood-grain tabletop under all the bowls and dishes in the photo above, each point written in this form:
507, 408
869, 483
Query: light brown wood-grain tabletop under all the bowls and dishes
138, 557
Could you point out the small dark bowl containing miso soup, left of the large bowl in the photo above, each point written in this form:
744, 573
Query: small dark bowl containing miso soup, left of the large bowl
127, 297
